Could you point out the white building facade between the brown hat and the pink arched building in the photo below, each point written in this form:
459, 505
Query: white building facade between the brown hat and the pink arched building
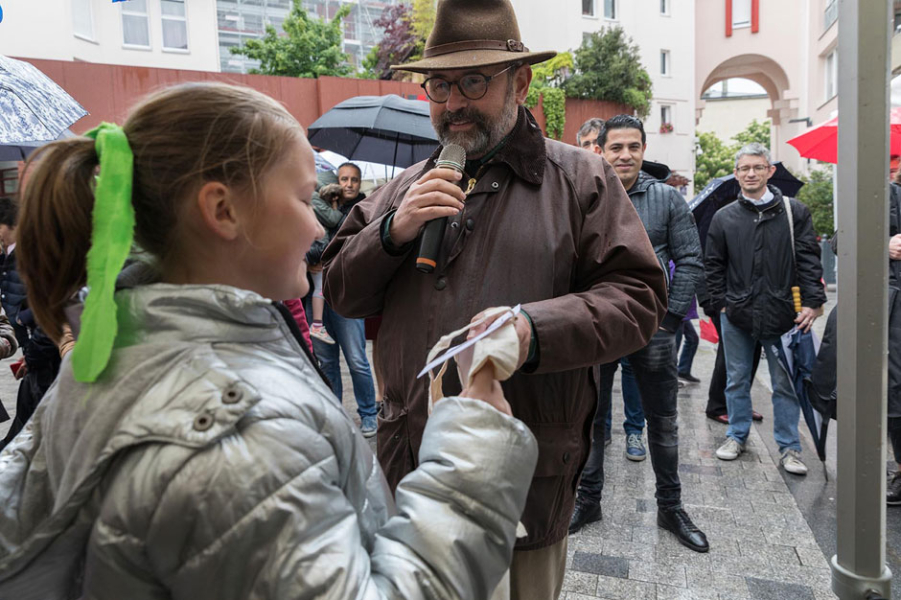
664, 31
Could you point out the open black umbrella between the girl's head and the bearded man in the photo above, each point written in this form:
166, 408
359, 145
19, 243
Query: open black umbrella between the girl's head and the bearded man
381, 129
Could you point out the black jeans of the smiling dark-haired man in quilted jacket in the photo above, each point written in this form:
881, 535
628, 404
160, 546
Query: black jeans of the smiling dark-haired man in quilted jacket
655, 374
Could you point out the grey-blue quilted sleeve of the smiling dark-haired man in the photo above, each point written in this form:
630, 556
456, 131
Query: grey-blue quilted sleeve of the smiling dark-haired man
685, 251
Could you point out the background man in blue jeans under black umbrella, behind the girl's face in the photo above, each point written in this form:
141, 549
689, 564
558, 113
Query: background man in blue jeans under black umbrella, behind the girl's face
349, 334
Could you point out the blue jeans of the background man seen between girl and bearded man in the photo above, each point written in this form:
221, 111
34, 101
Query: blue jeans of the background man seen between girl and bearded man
350, 338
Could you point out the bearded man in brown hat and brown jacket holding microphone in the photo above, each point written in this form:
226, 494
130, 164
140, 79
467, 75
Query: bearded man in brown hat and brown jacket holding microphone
541, 224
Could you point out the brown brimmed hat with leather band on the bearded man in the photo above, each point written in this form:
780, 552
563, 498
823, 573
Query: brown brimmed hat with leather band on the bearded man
473, 33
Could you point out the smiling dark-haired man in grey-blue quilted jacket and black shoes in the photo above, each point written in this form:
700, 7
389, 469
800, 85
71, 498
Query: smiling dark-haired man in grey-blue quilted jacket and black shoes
674, 236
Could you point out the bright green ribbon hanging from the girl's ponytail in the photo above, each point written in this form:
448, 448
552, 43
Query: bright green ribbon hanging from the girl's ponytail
113, 223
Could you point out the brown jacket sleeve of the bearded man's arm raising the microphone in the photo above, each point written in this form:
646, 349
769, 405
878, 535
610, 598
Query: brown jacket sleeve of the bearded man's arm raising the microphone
357, 265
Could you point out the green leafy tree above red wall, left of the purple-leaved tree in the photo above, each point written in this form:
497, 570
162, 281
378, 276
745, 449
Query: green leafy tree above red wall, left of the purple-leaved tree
309, 48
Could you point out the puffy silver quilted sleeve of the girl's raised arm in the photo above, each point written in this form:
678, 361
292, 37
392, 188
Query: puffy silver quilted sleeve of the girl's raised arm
452, 535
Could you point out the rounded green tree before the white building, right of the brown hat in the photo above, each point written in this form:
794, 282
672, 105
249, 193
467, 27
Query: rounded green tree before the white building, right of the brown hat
608, 67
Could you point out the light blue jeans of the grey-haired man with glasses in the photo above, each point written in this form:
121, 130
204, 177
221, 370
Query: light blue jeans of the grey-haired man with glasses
738, 346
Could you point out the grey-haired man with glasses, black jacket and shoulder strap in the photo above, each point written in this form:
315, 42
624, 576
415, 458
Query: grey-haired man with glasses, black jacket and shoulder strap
758, 248
